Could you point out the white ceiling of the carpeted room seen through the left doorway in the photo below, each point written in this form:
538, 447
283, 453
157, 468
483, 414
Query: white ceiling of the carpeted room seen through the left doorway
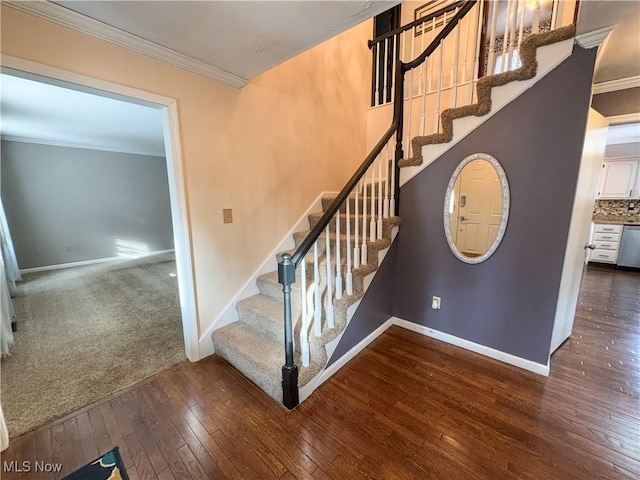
41, 113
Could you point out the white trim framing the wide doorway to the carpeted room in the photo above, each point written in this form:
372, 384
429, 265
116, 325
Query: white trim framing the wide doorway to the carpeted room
175, 169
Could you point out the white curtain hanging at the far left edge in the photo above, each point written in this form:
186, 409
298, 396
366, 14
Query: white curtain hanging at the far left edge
9, 274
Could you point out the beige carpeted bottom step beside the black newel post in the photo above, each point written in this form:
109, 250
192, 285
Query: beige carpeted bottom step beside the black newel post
256, 356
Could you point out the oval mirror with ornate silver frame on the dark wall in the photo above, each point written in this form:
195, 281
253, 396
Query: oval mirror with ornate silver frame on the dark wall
476, 208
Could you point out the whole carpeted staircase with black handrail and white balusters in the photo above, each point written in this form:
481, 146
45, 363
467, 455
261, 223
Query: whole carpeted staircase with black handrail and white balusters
334, 260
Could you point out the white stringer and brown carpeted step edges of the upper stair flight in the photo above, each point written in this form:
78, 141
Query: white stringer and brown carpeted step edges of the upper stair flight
503, 89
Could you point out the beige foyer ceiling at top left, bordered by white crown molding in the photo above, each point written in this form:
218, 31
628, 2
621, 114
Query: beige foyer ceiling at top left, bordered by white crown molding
244, 38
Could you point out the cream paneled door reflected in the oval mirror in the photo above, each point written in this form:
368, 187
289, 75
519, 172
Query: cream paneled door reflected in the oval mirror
479, 209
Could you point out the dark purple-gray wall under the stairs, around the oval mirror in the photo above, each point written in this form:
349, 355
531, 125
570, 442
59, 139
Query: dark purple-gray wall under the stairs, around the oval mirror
508, 302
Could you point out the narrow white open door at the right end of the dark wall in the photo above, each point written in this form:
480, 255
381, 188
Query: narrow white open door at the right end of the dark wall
586, 189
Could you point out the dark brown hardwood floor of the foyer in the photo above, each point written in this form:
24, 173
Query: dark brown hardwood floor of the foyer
408, 407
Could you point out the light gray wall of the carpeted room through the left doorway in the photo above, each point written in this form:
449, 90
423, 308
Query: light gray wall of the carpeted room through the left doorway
70, 204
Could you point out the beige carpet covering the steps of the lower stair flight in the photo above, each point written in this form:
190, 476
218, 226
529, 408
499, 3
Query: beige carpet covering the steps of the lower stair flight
255, 343
